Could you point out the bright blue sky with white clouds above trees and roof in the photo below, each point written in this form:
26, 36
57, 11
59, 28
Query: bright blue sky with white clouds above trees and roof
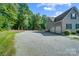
51, 9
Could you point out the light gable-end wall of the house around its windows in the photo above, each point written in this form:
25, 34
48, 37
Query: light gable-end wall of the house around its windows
67, 20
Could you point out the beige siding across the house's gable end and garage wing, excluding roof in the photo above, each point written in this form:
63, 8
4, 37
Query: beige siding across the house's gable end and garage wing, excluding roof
60, 26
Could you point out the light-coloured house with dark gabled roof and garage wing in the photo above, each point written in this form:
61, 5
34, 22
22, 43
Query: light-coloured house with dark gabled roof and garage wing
69, 20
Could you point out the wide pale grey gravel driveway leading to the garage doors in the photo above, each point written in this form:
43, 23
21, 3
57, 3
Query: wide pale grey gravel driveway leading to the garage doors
30, 43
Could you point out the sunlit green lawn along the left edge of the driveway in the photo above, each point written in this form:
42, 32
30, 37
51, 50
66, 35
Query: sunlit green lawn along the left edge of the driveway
7, 43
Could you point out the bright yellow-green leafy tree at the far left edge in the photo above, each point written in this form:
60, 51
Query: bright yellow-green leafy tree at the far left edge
8, 13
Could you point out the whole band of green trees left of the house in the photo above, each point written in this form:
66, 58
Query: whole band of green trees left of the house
20, 17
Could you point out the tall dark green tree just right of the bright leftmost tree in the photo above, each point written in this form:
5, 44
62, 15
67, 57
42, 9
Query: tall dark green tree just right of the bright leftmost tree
23, 17
